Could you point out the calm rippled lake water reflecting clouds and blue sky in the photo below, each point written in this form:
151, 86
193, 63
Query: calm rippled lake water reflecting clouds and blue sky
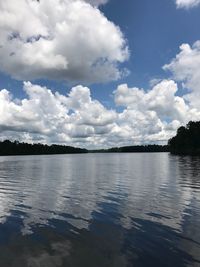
100, 210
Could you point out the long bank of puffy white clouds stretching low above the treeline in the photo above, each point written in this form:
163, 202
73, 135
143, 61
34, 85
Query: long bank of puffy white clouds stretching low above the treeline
79, 120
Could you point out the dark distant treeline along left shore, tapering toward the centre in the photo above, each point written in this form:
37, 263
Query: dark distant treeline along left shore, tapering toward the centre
15, 148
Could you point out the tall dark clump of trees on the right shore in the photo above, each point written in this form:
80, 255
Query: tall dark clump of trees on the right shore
187, 140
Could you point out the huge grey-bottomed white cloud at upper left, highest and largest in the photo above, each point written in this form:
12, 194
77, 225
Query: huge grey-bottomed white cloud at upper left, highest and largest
61, 39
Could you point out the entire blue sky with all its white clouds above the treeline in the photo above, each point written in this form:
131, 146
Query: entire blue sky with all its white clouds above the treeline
98, 73
